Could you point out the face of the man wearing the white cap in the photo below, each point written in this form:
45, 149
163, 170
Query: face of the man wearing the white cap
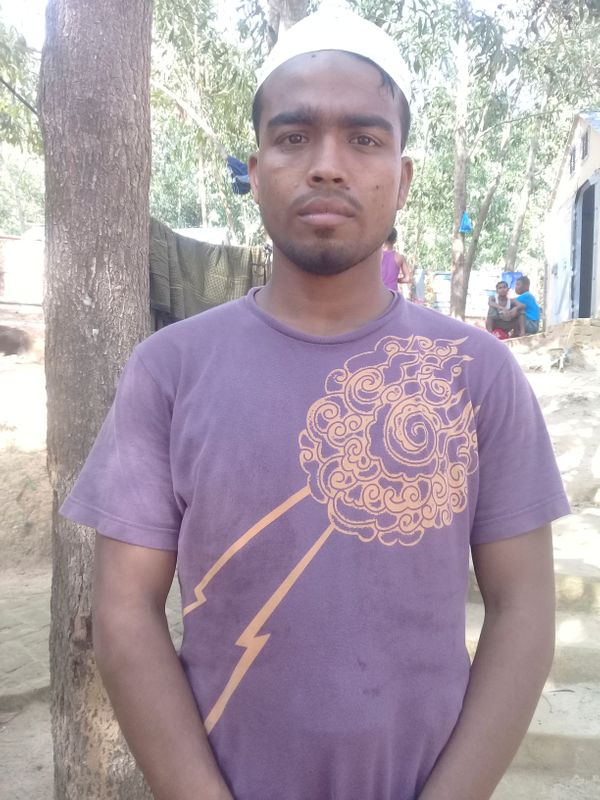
329, 175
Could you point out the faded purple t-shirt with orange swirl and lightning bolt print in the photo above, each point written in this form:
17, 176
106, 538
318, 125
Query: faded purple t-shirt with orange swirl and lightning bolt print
322, 494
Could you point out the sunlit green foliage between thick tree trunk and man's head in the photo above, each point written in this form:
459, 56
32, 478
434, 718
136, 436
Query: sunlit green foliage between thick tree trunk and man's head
202, 94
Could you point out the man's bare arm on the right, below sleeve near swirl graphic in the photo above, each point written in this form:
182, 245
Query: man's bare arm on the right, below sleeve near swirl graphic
512, 662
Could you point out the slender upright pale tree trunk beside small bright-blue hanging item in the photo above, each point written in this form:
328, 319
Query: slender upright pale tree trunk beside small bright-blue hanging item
459, 283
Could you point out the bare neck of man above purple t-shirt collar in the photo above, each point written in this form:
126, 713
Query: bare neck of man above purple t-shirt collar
325, 305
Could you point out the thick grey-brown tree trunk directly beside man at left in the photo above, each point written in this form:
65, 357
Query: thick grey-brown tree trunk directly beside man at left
96, 124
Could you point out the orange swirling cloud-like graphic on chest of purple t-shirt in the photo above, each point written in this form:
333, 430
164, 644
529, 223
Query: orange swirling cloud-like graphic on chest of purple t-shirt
390, 446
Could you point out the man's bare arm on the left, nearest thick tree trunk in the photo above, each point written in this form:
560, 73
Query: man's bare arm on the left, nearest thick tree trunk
152, 699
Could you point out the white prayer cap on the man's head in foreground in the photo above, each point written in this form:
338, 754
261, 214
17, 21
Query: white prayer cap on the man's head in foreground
339, 29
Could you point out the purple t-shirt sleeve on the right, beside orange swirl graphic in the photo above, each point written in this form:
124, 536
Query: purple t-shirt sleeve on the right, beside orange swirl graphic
520, 487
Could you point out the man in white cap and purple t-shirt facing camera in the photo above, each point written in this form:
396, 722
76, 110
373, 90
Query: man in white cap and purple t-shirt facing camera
318, 458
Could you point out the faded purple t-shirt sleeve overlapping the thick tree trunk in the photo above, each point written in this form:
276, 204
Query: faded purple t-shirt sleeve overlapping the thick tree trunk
125, 489
